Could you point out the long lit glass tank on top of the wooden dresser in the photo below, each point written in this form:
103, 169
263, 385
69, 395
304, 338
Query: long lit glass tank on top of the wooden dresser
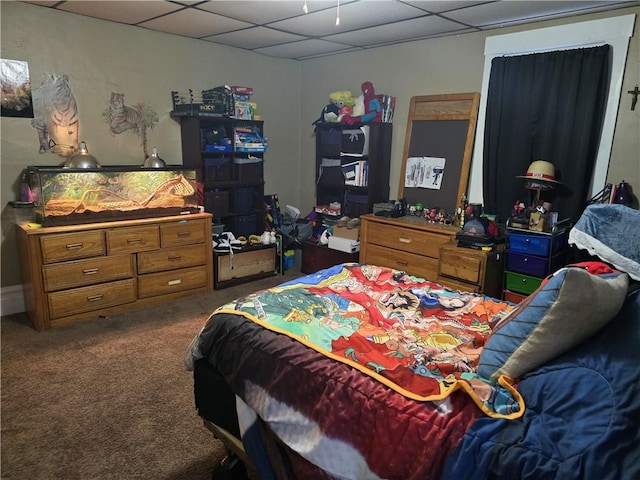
67, 196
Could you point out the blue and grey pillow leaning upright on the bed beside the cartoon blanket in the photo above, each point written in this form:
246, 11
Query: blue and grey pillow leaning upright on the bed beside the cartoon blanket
569, 307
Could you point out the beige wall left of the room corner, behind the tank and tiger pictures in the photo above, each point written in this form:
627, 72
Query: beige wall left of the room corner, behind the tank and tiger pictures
103, 57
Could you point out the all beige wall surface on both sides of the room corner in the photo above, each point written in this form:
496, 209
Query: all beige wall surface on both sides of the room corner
102, 57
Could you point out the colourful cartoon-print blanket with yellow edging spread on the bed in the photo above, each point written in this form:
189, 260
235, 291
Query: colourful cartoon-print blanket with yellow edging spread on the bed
414, 336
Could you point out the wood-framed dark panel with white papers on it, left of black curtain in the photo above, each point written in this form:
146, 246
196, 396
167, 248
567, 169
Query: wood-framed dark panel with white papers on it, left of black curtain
437, 150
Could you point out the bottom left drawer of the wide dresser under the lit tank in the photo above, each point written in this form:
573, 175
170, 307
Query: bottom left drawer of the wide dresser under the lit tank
87, 299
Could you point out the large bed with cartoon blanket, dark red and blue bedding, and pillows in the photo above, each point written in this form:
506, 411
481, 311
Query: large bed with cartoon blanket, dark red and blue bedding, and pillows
365, 372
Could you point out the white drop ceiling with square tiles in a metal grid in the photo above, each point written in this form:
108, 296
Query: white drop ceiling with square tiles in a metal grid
283, 29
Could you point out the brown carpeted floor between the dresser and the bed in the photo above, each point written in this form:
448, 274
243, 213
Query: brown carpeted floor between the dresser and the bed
109, 398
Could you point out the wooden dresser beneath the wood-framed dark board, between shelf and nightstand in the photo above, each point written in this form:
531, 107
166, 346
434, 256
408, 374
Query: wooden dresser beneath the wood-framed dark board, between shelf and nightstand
411, 244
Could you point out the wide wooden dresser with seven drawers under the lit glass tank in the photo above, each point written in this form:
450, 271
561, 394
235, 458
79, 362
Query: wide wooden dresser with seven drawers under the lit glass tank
76, 272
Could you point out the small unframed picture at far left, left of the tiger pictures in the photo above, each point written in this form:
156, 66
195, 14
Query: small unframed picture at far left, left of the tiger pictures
16, 89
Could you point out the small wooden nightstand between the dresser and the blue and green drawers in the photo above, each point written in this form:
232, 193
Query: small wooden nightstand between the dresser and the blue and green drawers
472, 270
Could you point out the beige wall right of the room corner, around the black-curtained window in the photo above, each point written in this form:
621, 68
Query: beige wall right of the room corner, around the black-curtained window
452, 65
